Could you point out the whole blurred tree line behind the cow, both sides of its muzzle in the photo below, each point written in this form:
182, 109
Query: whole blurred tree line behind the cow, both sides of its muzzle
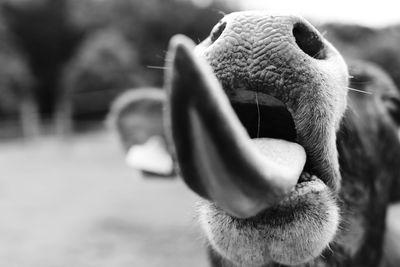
77, 55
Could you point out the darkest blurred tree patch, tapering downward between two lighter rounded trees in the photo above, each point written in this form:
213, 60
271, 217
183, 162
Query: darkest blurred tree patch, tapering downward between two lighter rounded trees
43, 31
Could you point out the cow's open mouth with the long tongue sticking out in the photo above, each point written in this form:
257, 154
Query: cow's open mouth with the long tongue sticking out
241, 155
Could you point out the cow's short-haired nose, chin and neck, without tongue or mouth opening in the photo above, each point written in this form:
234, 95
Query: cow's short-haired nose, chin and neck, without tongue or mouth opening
365, 142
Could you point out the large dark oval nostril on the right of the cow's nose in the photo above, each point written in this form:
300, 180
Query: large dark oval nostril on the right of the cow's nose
309, 41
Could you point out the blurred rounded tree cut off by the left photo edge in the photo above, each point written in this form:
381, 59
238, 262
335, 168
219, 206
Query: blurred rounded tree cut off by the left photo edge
16, 96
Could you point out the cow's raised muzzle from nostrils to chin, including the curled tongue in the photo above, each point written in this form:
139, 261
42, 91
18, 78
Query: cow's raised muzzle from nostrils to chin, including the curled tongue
259, 58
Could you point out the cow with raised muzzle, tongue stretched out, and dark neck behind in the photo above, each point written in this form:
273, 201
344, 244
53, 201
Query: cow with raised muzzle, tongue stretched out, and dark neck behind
308, 186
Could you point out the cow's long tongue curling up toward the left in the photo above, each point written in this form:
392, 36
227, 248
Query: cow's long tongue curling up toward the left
217, 158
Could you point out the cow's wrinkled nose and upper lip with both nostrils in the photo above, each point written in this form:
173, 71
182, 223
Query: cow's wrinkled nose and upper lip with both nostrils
286, 57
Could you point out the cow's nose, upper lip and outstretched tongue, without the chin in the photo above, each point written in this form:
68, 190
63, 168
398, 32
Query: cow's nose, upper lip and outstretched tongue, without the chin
254, 58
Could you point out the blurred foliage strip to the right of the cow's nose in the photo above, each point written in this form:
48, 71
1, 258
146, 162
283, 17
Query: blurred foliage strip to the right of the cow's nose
381, 46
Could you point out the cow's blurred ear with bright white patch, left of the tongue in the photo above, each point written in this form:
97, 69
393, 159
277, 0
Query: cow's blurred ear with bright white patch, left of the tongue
137, 118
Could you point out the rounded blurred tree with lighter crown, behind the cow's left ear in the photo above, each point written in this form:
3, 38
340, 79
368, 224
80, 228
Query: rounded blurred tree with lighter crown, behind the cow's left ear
104, 65
